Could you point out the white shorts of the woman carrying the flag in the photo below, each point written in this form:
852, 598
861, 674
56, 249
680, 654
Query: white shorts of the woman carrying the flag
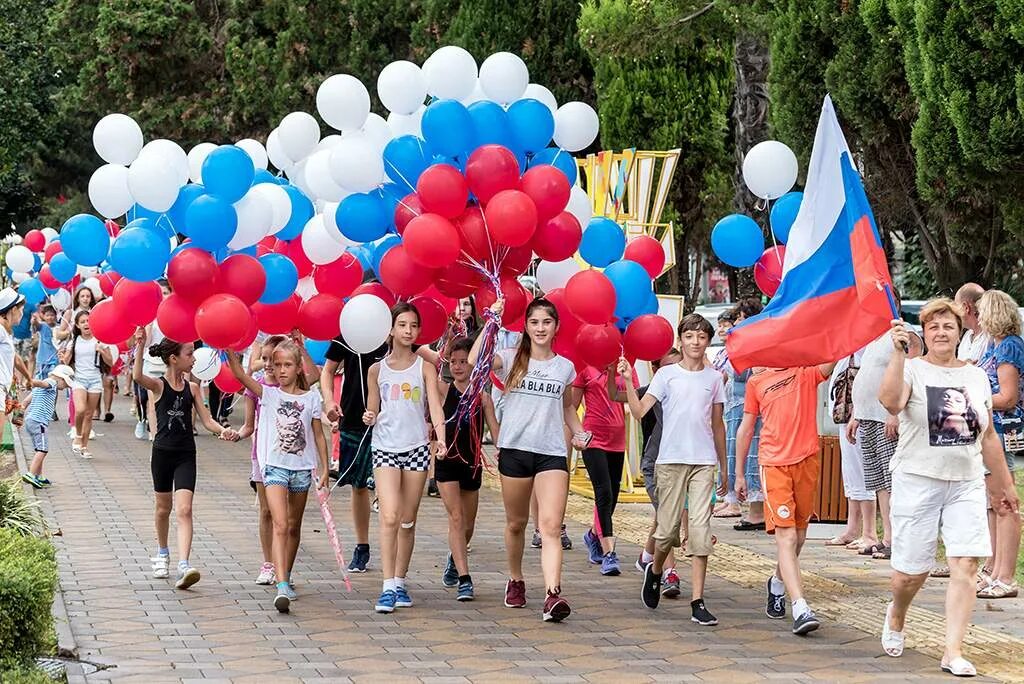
924, 507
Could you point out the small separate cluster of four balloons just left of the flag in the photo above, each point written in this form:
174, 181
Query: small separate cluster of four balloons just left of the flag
770, 173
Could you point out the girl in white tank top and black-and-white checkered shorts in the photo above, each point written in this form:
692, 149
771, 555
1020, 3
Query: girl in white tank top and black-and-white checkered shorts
400, 389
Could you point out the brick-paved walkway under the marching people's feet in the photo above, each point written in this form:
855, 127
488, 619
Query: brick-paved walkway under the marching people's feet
140, 629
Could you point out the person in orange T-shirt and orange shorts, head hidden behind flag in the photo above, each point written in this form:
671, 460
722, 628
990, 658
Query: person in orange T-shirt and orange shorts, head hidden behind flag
787, 401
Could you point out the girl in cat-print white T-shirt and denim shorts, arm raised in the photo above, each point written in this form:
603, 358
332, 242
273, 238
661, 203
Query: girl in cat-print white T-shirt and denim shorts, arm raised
290, 446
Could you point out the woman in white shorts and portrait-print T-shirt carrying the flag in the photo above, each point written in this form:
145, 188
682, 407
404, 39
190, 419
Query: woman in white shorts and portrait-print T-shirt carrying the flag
938, 483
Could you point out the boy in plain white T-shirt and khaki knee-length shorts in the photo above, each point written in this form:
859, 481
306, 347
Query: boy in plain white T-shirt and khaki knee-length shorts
693, 399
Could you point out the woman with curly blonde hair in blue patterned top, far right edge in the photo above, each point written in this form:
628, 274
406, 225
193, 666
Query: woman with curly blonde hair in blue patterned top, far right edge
1003, 362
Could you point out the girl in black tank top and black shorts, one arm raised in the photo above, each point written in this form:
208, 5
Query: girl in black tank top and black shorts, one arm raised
174, 460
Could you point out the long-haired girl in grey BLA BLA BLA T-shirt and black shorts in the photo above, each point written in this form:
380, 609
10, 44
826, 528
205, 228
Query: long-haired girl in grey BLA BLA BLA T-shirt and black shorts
532, 450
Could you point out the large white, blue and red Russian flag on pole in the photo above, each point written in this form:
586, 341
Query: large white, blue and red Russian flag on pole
836, 289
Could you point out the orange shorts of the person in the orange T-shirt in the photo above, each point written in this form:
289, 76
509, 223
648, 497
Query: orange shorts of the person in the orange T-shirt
790, 493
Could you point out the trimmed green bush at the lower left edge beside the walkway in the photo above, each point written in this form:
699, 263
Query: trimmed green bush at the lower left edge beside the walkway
28, 581
